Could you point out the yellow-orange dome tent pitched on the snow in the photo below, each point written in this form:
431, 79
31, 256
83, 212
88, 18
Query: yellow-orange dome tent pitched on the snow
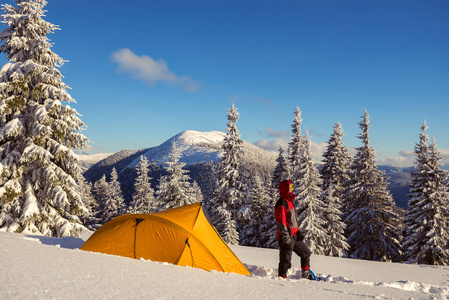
181, 236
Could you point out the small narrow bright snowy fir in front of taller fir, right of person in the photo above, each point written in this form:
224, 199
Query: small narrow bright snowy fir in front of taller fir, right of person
335, 227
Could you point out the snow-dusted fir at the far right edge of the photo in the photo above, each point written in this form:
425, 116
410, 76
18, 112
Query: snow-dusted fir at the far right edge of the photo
426, 222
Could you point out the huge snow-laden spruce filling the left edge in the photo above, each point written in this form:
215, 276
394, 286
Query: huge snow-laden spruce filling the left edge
38, 169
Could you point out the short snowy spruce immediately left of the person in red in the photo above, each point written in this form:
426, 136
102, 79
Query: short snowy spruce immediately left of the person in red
254, 229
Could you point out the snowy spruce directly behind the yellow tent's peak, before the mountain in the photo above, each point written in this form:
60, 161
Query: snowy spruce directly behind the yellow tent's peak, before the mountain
174, 189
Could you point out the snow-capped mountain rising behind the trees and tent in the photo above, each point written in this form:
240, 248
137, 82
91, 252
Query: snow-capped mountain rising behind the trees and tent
199, 150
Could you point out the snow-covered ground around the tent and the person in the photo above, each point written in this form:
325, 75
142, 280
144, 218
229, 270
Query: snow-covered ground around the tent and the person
36, 267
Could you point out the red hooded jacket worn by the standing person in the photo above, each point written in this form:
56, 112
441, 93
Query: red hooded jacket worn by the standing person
286, 222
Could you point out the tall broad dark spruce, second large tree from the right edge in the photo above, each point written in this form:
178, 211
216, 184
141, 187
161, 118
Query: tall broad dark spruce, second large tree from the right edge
371, 222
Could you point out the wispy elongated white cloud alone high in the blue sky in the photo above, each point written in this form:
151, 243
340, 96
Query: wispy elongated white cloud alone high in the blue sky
149, 70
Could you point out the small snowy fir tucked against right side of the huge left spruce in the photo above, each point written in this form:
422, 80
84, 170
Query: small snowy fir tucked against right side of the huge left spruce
85, 190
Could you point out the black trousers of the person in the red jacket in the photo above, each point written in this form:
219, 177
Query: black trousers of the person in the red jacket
285, 255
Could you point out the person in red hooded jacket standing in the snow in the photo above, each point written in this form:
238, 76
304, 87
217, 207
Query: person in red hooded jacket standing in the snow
287, 232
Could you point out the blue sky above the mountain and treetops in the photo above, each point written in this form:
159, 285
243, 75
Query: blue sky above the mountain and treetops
143, 71
